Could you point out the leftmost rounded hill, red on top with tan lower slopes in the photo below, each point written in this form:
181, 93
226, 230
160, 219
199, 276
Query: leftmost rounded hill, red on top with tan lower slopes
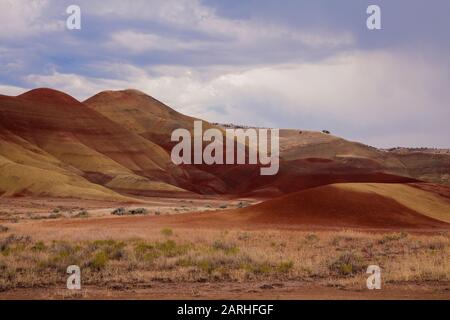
47, 129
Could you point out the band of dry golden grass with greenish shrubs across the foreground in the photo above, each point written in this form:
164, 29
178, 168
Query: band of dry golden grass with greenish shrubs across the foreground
336, 258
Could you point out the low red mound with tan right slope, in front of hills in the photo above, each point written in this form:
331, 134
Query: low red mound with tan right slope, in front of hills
353, 205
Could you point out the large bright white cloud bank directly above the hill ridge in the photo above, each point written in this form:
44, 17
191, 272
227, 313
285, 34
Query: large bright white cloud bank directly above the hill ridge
371, 95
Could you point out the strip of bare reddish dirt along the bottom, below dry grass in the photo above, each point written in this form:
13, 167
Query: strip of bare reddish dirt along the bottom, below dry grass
234, 291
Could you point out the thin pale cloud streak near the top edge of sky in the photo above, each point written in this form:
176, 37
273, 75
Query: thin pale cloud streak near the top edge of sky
191, 15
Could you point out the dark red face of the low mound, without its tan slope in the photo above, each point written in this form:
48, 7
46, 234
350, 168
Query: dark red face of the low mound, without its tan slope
335, 207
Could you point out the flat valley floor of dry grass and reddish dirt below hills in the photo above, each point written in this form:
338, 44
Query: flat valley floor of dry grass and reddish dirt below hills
172, 252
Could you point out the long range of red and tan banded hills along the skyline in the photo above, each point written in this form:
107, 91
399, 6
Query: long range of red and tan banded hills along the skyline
117, 143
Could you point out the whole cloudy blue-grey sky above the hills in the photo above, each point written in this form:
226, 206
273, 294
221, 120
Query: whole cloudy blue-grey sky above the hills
287, 64
